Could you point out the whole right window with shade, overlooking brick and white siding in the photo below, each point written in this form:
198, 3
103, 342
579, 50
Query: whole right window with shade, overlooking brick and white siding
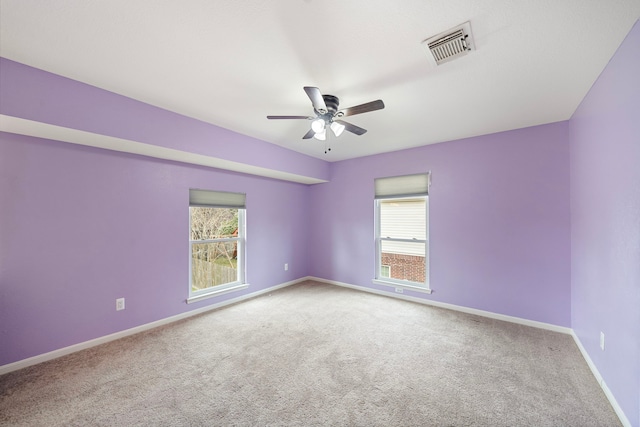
401, 212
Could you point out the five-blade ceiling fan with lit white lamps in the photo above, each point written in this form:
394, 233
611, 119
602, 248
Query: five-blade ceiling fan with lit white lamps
329, 116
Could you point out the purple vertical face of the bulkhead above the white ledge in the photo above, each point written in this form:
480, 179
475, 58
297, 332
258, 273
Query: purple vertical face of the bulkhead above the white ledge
34, 94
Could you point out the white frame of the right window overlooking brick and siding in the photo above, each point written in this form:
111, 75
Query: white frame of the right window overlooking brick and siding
385, 191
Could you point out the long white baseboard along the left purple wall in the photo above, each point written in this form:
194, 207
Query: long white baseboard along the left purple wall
20, 364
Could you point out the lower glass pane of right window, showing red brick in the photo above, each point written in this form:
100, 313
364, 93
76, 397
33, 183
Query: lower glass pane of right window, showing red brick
405, 260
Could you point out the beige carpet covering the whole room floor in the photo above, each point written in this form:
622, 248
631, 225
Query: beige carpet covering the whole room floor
315, 355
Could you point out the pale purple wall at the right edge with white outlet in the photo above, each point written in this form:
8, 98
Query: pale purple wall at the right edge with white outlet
605, 224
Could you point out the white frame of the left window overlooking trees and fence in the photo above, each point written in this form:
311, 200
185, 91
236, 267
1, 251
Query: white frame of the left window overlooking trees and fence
240, 282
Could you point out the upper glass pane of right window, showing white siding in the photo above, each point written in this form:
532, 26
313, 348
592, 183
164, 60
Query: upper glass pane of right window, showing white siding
403, 219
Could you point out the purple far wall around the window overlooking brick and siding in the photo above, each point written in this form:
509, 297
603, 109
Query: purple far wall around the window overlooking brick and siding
499, 221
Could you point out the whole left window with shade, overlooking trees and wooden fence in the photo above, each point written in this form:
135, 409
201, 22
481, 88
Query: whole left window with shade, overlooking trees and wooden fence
216, 243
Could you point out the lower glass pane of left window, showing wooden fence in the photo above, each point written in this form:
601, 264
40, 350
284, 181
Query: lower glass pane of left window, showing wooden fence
213, 264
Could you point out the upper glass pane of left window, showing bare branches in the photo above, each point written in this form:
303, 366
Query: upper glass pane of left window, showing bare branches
213, 223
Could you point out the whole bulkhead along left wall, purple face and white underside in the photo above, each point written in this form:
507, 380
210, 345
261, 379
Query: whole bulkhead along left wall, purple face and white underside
43, 104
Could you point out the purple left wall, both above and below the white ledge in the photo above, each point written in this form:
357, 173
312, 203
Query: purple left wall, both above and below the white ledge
80, 227
